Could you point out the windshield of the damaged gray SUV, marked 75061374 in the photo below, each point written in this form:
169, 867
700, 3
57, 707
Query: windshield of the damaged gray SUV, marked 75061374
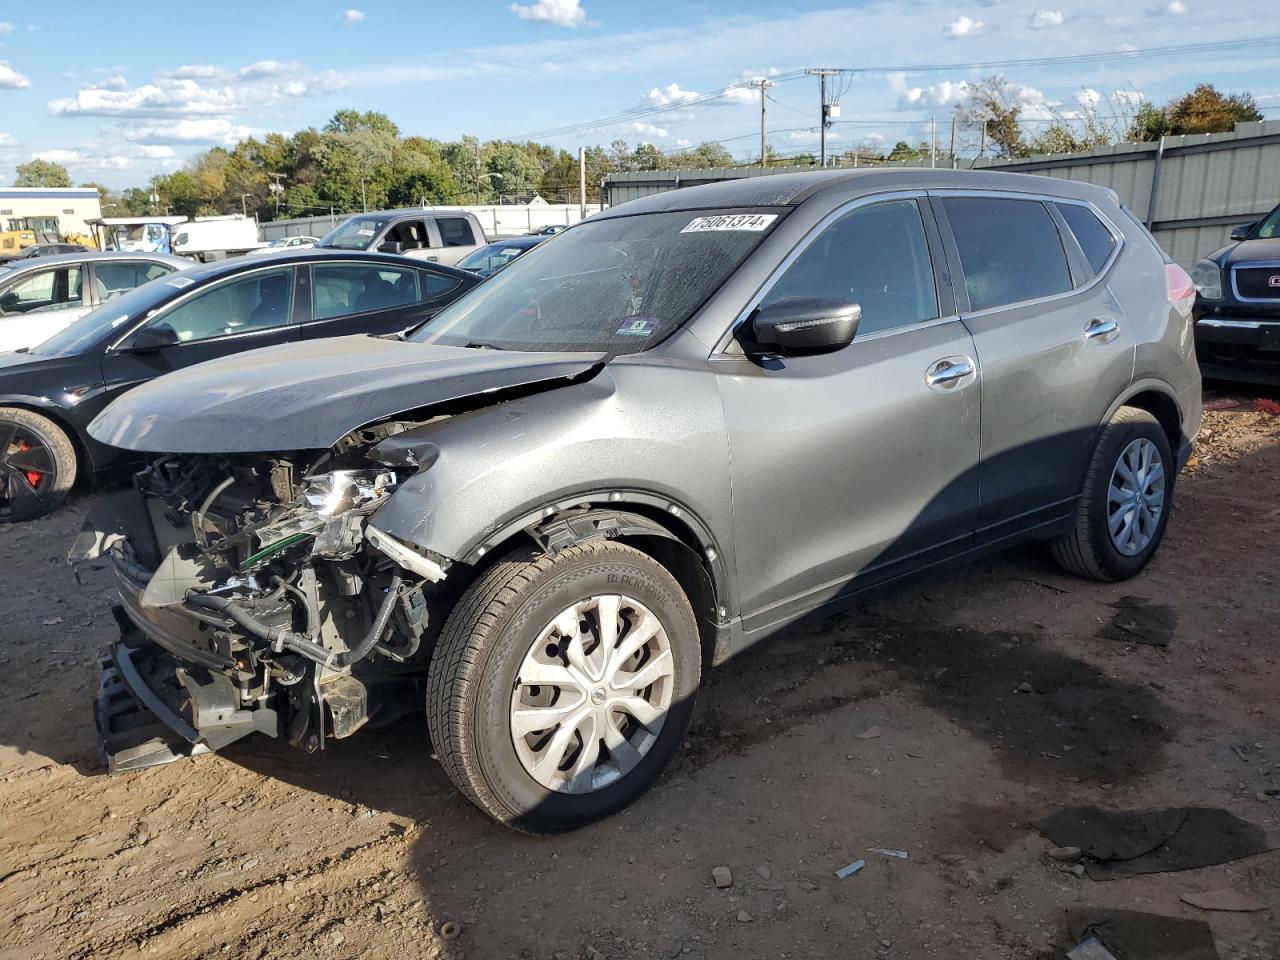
619, 286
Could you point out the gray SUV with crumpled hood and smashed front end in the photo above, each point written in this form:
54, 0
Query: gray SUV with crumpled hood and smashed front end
643, 447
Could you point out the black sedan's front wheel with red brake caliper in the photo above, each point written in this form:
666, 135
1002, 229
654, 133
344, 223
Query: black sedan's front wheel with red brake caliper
38, 465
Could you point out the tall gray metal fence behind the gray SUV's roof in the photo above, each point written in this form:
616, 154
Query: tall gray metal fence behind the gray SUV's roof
1191, 190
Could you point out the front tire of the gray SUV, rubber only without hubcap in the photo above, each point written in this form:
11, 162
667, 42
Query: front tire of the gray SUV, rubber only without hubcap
481, 651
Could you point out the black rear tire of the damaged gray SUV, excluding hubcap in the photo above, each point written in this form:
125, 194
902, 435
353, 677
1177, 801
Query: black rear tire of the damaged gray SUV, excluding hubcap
1089, 550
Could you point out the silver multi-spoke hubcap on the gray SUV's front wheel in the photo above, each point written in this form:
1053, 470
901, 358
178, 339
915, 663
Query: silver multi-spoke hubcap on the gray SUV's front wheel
592, 694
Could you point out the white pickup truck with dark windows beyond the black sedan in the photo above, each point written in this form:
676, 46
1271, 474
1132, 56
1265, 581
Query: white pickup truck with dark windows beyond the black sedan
427, 235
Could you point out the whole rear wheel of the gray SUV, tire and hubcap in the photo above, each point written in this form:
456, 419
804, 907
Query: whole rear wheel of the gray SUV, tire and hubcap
1124, 508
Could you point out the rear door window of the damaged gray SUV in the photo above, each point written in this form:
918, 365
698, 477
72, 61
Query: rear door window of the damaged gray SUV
1011, 250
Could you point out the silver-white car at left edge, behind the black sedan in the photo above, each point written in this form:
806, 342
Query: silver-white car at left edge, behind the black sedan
42, 296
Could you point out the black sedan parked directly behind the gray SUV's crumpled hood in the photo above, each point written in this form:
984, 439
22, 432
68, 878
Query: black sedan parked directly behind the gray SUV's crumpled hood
51, 394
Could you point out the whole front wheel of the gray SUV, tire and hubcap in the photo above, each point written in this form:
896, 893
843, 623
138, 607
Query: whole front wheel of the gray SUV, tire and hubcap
561, 687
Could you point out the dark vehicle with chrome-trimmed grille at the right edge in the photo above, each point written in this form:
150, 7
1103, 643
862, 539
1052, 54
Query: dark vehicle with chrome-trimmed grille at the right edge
1238, 305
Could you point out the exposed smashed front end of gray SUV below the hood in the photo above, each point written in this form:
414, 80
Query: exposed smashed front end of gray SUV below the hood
257, 597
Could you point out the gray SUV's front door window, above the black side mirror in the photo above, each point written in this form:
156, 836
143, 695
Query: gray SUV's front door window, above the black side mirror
876, 257
